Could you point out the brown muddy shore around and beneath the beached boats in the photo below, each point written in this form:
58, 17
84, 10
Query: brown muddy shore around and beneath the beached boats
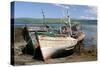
86, 53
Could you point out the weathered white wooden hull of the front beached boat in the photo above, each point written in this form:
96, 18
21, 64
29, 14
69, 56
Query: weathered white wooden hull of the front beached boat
50, 45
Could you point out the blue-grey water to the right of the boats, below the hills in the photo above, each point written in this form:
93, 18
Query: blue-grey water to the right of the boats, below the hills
91, 34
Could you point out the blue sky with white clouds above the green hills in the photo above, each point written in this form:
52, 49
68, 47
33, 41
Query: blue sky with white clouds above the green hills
51, 10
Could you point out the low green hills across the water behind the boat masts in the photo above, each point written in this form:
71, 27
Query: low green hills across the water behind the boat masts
52, 20
